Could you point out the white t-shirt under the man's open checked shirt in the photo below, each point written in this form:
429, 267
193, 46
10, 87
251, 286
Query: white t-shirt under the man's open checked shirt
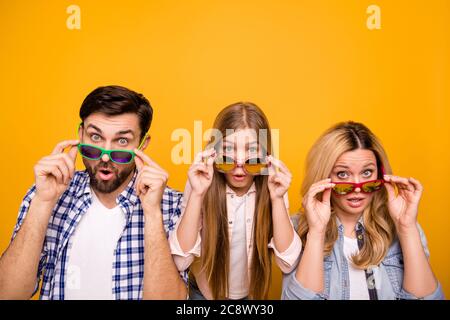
91, 255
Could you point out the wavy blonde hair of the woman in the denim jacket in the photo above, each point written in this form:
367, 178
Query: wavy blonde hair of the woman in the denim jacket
378, 225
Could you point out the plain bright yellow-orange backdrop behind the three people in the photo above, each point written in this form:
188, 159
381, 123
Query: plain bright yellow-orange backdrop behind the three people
308, 64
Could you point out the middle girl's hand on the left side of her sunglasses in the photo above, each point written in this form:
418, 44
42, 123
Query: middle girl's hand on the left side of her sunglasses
201, 172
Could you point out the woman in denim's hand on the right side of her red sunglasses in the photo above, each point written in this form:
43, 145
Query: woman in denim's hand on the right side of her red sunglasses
404, 206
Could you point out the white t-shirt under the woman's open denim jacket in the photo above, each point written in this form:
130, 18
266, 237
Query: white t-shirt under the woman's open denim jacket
357, 277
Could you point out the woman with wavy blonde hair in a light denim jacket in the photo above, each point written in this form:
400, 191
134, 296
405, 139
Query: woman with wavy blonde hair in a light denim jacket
359, 226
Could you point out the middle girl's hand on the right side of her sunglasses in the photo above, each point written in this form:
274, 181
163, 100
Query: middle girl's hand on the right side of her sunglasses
279, 180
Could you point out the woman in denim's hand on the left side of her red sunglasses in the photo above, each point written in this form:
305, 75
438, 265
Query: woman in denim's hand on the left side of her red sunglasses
318, 212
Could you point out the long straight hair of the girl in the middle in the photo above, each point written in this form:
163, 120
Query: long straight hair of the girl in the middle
215, 259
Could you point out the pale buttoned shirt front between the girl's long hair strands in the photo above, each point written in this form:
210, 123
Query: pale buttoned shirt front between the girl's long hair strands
238, 280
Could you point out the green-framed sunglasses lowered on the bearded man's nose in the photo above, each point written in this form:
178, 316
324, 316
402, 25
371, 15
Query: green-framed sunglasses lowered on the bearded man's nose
120, 156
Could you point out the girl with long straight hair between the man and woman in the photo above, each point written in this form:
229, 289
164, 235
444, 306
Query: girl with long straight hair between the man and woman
235, 211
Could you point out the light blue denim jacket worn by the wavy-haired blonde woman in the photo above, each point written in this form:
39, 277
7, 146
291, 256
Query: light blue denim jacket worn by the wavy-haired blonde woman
388, 275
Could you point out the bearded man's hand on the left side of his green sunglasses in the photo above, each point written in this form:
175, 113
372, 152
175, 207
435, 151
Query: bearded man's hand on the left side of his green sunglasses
54, 172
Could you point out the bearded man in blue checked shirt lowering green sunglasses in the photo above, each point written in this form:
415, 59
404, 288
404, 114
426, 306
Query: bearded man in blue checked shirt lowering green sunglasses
99, 233
